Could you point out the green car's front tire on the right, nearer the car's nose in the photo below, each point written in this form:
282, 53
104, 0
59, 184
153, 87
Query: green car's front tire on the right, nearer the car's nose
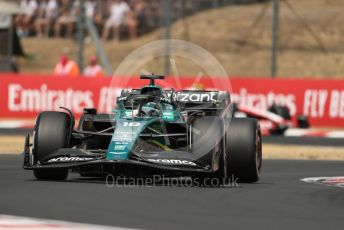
207, 139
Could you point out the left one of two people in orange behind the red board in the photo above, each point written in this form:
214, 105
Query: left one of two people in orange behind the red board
66, 67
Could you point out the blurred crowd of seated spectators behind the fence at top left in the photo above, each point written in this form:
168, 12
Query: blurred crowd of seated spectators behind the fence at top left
113, 18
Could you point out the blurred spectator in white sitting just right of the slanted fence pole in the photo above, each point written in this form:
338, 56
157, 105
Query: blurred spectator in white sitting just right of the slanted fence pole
118, 13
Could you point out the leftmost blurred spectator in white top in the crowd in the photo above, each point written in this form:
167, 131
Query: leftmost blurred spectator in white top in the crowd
24, 21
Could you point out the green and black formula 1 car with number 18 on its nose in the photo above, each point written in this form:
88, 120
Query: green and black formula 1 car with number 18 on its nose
151, 131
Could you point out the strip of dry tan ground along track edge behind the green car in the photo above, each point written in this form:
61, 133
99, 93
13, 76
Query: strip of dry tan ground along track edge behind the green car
14, 145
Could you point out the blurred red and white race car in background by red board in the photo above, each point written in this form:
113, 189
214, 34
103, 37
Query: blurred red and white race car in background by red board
275, 120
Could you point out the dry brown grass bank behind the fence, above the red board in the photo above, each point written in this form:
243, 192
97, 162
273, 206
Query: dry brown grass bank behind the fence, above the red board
222, 32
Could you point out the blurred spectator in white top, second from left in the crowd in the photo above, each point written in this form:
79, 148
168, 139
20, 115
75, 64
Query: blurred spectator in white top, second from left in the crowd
47, 13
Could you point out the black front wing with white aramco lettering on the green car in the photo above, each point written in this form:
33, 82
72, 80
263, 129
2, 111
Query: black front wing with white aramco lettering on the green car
77, 159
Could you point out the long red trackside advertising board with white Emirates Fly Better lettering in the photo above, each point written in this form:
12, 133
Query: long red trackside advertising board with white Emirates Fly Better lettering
23, 96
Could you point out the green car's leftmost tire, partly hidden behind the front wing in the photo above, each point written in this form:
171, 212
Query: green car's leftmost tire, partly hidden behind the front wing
52, 132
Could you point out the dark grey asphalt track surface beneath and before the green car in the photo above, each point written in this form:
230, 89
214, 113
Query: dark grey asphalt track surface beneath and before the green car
279, 201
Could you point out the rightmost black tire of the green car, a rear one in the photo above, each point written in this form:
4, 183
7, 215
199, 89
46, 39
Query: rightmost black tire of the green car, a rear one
244, 150
